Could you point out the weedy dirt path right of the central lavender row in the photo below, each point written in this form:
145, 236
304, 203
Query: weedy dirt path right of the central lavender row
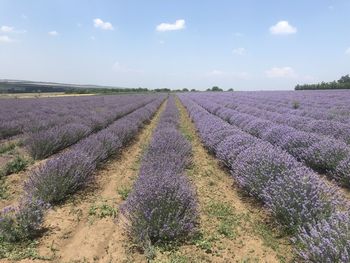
233, 229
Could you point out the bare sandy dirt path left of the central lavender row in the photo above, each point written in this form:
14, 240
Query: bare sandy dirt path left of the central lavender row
84, 229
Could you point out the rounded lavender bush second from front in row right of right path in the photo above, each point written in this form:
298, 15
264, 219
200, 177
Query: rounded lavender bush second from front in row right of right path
300, 199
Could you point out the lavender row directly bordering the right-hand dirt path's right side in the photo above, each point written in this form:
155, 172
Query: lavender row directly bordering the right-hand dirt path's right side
298, 199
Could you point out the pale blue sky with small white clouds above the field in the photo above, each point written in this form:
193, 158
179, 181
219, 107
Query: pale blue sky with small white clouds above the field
244, 45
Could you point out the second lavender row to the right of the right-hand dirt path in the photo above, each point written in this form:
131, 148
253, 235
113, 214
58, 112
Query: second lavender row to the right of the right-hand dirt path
323, 154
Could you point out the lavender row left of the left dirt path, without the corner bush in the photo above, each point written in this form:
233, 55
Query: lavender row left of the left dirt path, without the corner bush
71, 170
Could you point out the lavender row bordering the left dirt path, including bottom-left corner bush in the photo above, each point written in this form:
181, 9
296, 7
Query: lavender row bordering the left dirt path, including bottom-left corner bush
68, 172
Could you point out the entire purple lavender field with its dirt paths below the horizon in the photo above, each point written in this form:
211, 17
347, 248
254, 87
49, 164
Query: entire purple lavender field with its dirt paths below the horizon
191, 177
